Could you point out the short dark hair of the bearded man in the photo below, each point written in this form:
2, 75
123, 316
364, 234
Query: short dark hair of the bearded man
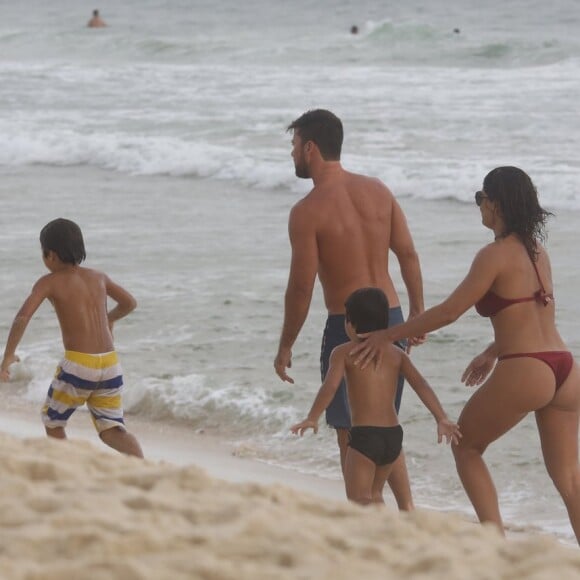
324, 129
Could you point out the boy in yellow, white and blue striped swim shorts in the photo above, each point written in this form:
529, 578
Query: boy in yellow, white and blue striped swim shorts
89, 372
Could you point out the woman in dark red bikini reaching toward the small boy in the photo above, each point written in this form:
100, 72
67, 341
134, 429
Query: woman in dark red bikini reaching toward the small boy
509, 282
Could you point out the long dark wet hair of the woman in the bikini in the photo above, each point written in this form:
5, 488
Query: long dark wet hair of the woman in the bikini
517, 198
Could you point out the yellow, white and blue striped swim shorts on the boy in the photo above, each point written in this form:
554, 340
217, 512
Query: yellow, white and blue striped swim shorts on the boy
94, 379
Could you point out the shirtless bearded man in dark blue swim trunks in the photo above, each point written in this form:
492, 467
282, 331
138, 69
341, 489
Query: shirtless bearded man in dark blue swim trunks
342, 231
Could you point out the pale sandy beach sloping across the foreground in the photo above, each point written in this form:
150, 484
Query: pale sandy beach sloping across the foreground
195, 510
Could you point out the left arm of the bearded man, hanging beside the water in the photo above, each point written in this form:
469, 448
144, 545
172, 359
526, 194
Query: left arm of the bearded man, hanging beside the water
303, 269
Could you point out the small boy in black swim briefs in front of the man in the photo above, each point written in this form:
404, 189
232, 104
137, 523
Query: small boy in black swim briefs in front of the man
375, 437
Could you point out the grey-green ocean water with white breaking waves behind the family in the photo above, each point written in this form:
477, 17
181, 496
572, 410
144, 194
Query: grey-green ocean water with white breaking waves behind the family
163, 135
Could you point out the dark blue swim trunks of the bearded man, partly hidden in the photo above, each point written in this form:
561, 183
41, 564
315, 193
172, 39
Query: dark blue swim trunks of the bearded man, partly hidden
338, 412
